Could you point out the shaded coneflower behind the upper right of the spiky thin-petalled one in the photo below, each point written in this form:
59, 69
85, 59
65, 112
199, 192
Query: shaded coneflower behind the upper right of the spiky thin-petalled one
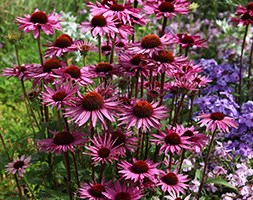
124, 139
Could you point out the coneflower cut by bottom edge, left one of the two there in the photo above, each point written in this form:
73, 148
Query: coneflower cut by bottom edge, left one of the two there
94, 191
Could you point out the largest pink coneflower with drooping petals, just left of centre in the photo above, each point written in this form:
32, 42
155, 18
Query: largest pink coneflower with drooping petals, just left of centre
92, 106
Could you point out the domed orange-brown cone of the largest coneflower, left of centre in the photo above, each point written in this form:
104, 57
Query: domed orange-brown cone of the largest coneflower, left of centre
92, 101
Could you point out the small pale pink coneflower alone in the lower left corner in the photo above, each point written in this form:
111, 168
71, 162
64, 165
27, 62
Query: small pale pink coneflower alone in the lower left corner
18, 166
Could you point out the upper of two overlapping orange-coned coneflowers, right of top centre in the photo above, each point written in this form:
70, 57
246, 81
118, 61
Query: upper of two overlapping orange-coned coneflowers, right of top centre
151, 44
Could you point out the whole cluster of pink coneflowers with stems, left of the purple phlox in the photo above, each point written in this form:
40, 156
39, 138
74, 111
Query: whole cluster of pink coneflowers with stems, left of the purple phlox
114, 111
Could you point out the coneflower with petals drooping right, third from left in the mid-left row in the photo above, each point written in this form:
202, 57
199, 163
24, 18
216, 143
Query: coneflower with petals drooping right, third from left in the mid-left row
75, 74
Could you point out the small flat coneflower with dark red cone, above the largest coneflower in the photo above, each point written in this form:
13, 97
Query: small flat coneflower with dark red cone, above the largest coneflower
102, 69
